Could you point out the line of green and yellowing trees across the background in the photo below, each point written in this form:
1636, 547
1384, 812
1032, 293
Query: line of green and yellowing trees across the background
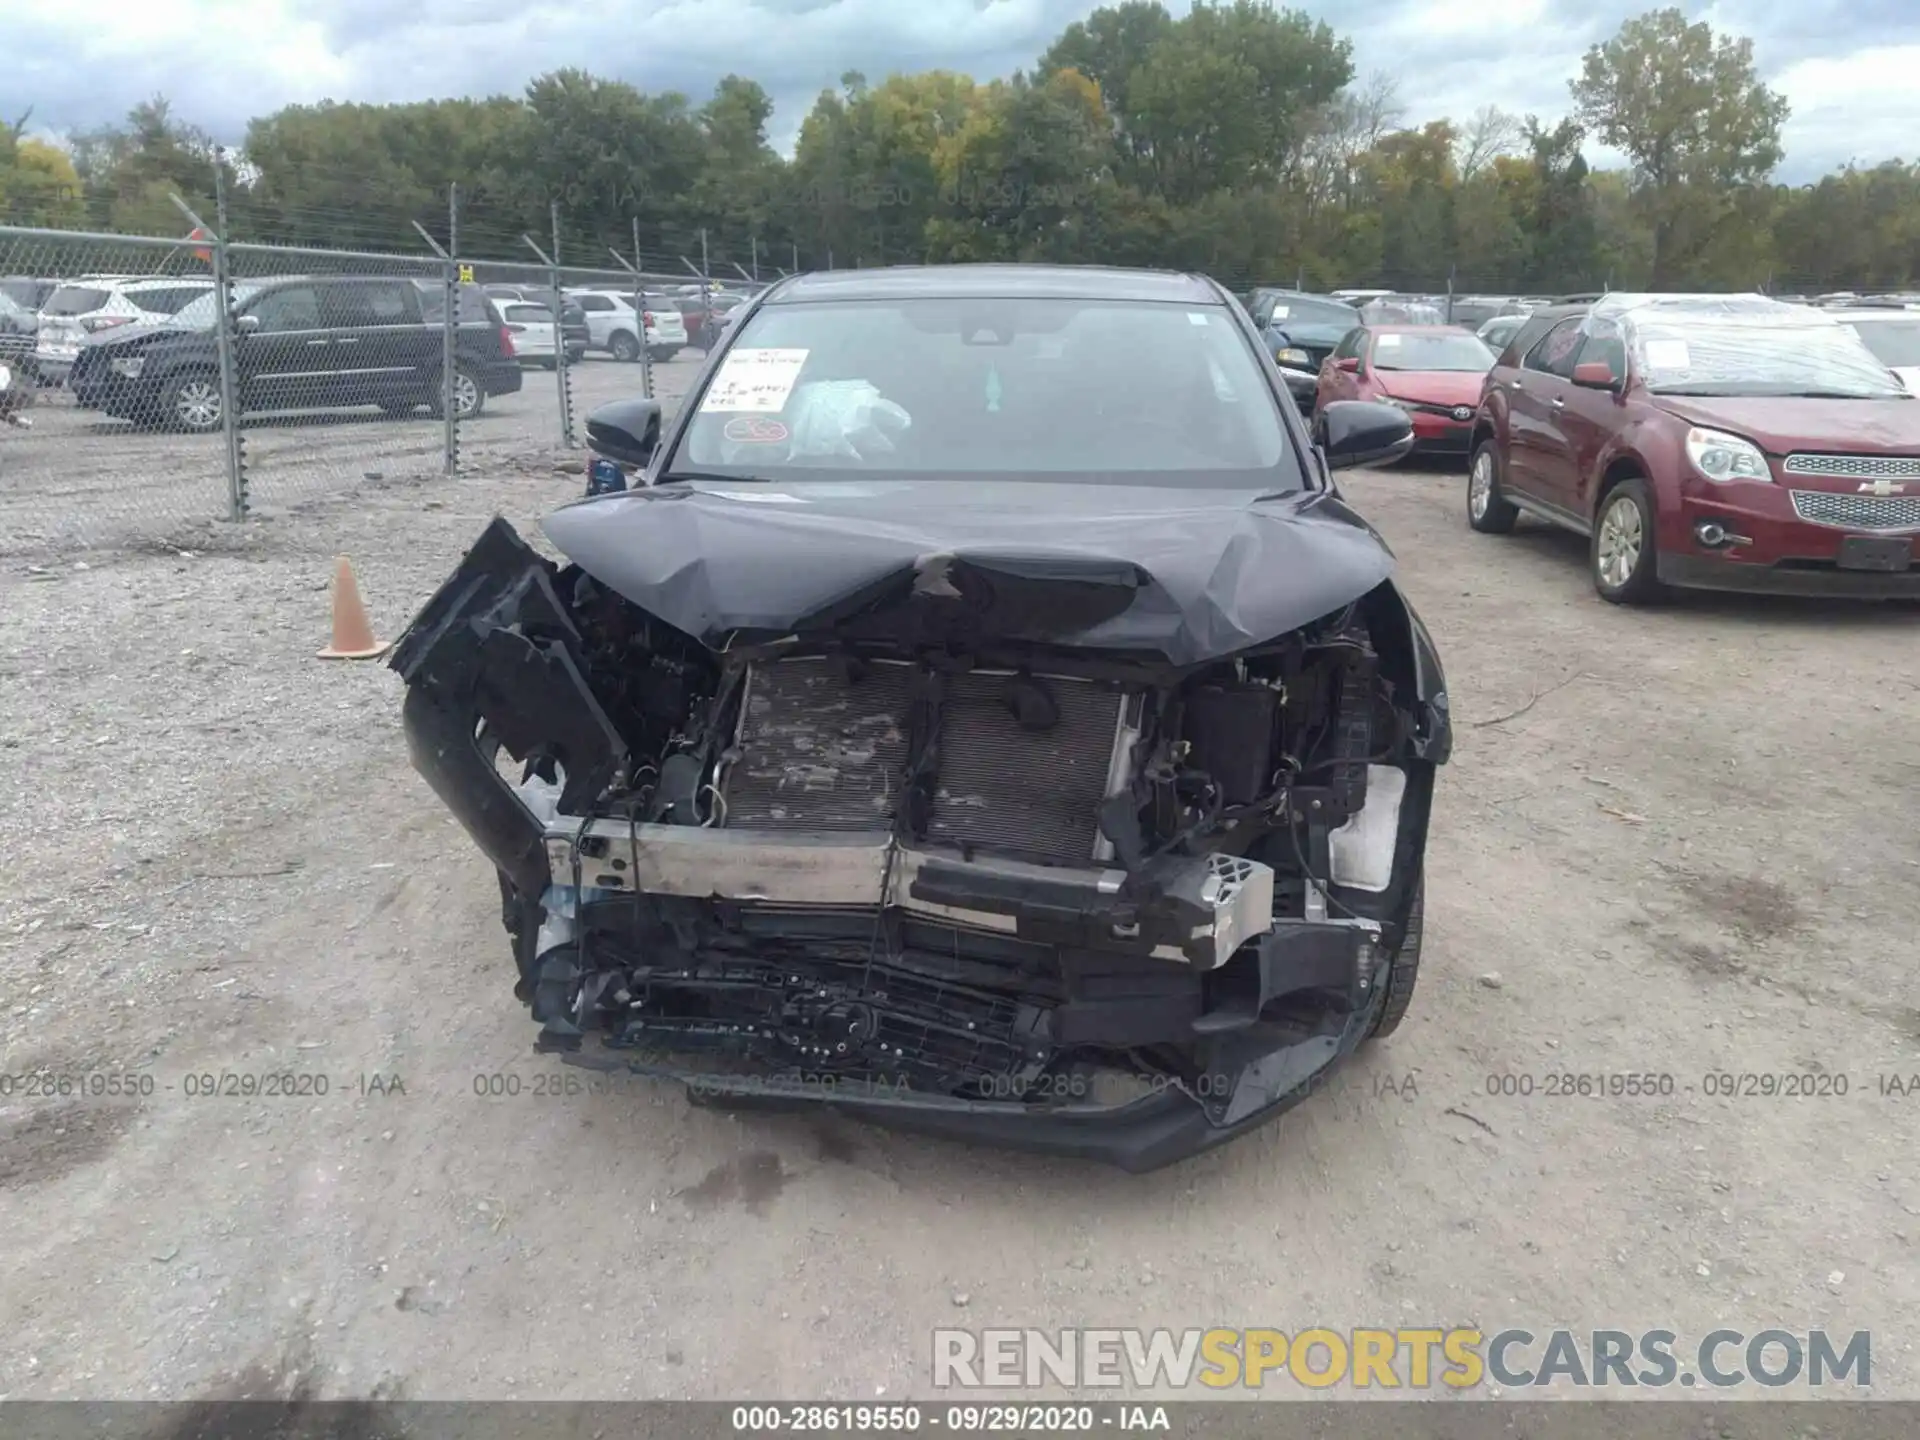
1237, 141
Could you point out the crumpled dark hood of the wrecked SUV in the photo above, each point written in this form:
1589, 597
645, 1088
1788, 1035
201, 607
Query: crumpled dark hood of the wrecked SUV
1182, 573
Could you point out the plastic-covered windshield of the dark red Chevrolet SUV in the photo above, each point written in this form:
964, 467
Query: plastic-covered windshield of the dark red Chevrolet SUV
1727, 358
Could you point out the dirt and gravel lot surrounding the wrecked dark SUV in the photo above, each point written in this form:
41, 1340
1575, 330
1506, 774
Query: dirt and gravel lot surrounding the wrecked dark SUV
1671, 844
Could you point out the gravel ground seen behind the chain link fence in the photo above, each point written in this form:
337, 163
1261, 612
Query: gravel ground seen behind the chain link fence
80, 481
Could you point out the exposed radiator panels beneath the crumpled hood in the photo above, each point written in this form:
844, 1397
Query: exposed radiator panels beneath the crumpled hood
827, 748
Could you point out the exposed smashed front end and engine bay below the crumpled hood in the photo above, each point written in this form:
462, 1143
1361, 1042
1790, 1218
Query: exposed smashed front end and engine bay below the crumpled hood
953, 863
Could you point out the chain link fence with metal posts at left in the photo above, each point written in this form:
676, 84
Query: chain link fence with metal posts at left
187, 379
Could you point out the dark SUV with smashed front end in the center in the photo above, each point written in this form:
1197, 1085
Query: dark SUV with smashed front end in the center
982, 717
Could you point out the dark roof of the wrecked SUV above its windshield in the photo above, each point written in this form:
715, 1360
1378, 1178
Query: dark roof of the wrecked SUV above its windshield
999, 283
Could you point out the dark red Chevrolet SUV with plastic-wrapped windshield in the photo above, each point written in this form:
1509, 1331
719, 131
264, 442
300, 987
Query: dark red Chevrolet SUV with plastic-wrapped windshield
1717, 443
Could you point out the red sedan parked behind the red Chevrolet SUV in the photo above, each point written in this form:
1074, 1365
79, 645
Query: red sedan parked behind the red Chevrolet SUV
1431, 372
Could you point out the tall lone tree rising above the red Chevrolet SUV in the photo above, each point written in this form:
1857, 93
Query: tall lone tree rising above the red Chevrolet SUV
1698, 124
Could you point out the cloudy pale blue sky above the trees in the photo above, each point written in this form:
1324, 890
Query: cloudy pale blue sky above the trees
1846, 66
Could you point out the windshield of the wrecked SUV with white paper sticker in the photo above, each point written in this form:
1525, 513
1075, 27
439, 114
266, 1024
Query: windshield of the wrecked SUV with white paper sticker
1015, 389
